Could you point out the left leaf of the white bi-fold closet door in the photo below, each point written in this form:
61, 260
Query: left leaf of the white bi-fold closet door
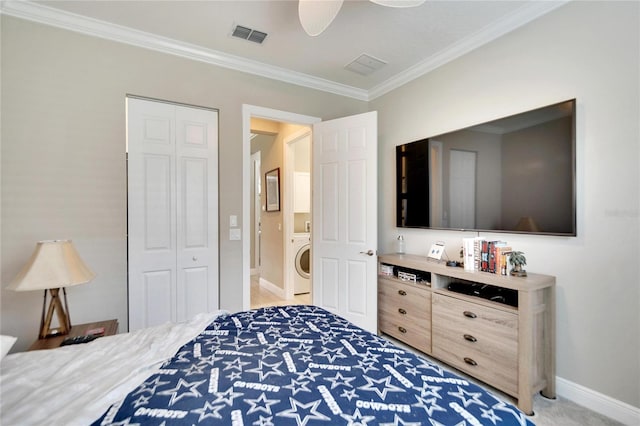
151, 217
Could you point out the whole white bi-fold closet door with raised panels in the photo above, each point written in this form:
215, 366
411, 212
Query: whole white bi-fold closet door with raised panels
172, 211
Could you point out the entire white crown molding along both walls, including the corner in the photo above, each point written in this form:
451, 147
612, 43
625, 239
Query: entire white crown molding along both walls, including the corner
96, 28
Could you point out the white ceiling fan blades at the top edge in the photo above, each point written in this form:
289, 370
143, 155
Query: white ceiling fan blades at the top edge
316, 15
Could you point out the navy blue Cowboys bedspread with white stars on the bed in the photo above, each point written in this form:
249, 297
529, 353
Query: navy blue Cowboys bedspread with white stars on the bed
302, 365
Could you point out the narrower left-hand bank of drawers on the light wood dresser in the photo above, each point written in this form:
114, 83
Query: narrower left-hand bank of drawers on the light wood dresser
405, 313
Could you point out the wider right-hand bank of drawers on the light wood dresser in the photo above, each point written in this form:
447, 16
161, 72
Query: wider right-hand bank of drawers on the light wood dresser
480, 340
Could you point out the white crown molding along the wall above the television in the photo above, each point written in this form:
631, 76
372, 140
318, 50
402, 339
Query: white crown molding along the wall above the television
515, 20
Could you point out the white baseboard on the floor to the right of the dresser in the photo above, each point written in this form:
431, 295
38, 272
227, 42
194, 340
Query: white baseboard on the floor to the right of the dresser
600, 403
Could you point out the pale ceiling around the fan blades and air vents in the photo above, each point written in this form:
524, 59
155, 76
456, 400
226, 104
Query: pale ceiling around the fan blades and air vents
411, 41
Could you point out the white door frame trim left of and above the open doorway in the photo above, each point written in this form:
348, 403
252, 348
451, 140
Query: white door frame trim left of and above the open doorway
249, 112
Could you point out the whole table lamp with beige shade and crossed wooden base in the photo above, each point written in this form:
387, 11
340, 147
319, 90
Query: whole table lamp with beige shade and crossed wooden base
53, 265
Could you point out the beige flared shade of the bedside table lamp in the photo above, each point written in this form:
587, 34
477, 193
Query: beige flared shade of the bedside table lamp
53, 264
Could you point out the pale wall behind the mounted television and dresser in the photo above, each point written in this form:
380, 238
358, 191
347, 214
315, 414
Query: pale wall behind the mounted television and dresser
584, 50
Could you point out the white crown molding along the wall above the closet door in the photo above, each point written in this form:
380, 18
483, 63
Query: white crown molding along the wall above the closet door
96, 28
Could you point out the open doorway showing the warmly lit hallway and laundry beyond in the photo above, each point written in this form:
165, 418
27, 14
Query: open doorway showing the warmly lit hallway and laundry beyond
275, 238
